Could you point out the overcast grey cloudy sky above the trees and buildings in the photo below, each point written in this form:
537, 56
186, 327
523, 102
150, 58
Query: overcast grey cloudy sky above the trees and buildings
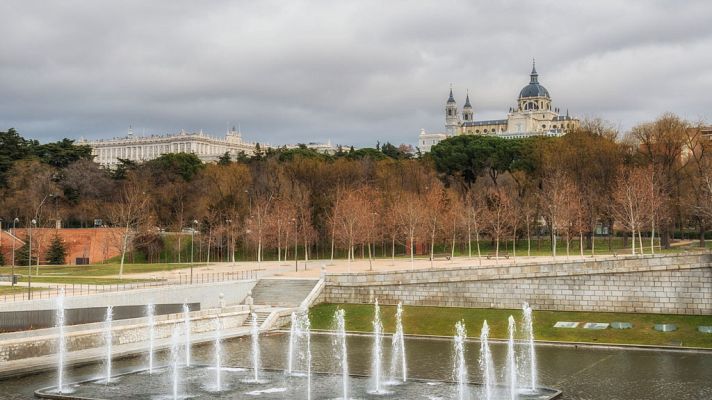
354, 72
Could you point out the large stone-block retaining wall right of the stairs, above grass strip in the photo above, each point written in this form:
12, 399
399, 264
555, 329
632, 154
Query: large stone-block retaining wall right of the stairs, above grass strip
679, 284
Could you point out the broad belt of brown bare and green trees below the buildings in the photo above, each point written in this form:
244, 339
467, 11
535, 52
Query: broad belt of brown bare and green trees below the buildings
654, 181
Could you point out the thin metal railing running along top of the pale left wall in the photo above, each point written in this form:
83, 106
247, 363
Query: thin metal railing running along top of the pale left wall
48, 291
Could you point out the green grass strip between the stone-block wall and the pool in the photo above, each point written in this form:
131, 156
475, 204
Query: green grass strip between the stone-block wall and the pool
440, 321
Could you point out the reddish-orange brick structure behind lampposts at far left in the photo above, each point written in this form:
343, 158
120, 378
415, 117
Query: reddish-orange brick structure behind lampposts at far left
84, 245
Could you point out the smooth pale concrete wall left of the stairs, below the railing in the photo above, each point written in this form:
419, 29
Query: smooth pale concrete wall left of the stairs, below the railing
206, 294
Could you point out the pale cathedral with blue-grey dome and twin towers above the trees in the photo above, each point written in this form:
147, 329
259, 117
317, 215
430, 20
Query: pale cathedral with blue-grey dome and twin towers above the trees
532, 116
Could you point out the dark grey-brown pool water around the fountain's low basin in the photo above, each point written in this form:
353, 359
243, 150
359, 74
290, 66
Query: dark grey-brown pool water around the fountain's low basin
581, 373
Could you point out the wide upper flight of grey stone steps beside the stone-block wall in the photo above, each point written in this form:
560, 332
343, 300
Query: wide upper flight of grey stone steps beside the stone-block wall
282, 292
